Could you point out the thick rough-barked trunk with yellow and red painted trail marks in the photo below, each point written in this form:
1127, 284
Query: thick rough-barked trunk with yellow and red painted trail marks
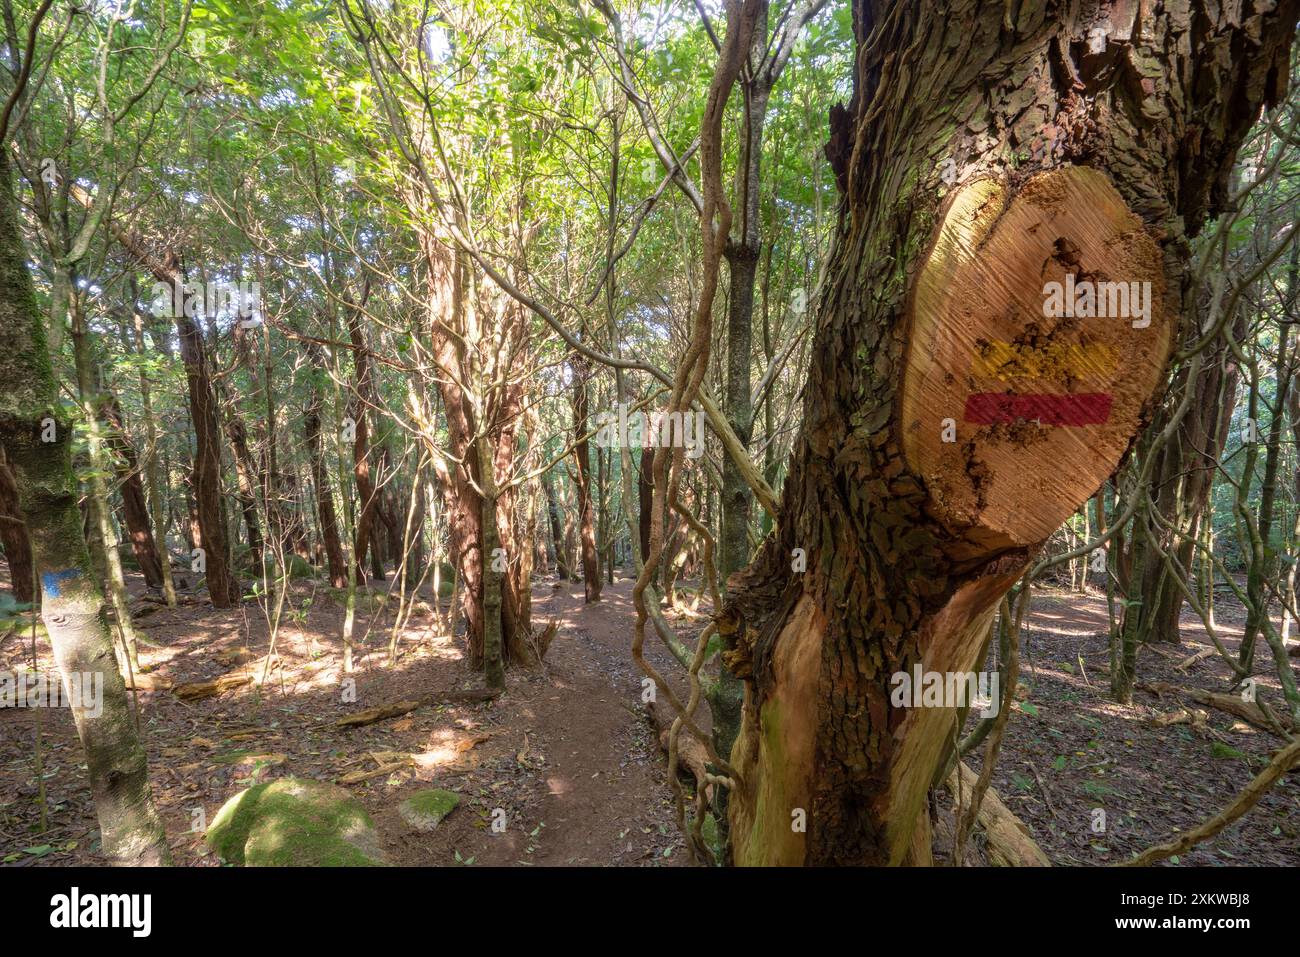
989, 151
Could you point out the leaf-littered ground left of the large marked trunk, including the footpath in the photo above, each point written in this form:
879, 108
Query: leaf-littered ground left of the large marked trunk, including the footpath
565, 761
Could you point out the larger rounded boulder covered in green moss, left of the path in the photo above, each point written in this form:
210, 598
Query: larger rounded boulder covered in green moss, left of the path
296, 822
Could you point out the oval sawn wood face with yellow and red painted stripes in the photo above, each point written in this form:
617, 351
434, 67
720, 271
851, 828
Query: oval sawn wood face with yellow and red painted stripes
1038, 408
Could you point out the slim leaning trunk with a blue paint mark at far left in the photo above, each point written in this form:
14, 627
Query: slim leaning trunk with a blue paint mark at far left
38, 438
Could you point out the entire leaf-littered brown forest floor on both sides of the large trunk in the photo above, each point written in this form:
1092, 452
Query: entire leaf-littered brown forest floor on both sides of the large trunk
570, 759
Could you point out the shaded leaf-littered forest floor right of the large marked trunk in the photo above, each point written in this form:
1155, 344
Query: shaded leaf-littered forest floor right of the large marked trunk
1069, 750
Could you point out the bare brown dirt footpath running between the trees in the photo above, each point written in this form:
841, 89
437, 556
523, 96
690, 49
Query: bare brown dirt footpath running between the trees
595, 789
